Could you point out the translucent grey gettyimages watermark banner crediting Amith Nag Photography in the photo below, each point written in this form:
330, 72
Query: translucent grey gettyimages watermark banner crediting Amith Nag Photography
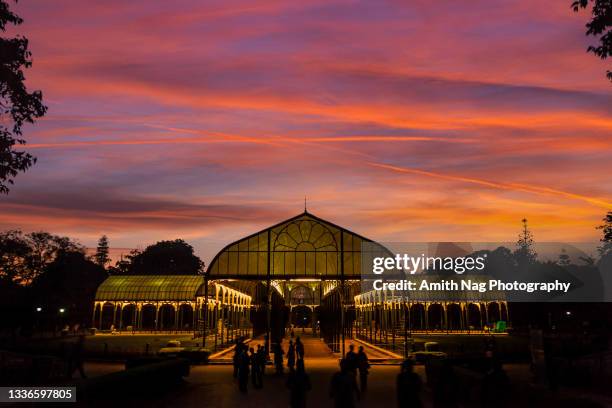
491, 271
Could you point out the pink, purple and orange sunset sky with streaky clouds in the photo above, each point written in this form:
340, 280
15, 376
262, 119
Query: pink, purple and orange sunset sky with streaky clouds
402, 121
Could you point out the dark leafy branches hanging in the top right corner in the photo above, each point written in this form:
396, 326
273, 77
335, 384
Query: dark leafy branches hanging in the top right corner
601, 23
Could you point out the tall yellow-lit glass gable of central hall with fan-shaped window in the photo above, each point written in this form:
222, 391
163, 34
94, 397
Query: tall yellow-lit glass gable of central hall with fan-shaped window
304, 246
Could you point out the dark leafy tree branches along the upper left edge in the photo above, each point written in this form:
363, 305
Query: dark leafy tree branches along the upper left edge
17, 105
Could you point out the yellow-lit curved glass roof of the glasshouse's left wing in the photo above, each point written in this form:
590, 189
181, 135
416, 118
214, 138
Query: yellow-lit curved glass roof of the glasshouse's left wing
150, 288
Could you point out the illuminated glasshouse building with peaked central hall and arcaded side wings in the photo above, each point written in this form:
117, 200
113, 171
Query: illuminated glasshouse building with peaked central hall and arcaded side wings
304, 272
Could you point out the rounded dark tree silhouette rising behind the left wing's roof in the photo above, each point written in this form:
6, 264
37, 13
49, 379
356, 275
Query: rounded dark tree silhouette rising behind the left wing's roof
165, 258
